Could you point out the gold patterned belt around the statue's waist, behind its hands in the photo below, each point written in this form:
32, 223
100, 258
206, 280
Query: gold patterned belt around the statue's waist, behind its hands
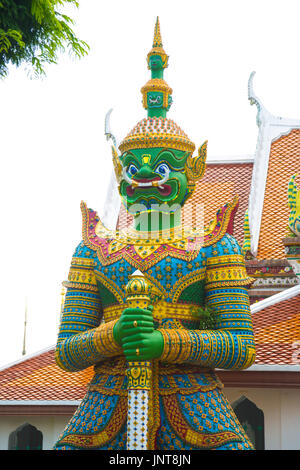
161, 309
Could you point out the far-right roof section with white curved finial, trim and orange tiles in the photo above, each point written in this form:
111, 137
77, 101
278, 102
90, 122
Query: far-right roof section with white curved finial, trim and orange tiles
276, 160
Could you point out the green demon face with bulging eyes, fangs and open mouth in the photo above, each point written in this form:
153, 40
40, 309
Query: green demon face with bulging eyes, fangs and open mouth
152, 177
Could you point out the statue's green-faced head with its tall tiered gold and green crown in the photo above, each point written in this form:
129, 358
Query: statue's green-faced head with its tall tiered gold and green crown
157, 144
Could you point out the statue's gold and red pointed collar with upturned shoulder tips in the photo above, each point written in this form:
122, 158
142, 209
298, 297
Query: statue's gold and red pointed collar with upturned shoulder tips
143, 252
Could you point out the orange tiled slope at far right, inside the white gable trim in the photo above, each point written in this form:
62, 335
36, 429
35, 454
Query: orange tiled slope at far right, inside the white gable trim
283, 163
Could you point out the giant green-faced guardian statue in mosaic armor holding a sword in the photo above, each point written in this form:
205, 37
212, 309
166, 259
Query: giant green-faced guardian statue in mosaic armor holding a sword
156, 306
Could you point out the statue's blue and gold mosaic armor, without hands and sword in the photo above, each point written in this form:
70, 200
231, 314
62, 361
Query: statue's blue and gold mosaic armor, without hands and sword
190, 269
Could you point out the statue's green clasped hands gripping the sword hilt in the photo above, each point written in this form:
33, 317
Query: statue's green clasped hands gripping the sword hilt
135, 332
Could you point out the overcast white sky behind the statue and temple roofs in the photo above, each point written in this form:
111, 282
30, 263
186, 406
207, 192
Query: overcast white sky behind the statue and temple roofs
53, 150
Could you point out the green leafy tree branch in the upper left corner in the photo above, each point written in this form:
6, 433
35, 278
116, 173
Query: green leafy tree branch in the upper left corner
34, 32
